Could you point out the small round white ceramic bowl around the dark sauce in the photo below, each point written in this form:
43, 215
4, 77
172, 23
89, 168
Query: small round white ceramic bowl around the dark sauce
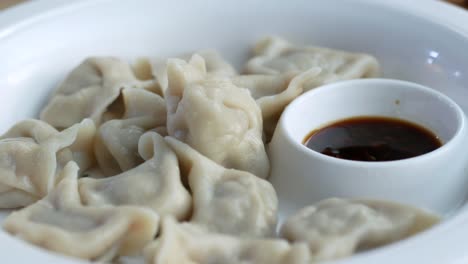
435, 181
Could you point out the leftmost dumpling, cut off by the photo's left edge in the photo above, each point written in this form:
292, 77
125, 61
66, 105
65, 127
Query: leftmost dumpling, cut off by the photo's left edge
32, 153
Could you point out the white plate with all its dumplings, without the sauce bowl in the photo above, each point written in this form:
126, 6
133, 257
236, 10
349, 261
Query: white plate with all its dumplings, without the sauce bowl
138, 132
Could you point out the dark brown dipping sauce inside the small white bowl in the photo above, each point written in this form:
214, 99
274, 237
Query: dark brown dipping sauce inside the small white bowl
372, 139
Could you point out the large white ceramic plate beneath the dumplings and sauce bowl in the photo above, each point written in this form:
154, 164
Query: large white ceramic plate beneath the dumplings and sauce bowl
420, 41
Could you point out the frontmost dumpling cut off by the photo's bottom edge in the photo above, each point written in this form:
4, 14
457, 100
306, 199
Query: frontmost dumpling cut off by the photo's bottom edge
189, 243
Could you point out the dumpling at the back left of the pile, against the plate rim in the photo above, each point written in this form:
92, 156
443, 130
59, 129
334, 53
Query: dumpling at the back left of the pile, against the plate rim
88, 90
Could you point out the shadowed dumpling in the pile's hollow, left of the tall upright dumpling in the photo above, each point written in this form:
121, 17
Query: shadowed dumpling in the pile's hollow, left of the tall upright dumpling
117, 140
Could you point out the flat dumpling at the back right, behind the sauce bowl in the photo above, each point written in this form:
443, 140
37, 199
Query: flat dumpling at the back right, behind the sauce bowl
274, 55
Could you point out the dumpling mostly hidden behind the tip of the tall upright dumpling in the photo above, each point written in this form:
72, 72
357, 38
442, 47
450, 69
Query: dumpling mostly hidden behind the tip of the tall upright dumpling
215, 65
